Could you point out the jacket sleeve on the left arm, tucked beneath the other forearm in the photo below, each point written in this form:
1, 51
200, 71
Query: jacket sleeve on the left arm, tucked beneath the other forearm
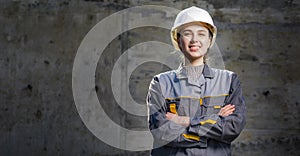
165, 132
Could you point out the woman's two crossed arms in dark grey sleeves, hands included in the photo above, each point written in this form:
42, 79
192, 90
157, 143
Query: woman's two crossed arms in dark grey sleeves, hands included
227, 125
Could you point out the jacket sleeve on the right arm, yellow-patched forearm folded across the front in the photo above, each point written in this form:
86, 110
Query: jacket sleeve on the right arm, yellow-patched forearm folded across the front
224, 129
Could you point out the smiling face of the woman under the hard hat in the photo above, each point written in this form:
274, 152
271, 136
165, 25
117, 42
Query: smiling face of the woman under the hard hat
194, 42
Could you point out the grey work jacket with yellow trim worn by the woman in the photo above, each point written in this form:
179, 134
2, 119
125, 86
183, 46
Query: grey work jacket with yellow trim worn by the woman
208, 134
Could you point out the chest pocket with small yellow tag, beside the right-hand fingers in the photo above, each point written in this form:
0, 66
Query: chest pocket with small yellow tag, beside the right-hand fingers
213, 104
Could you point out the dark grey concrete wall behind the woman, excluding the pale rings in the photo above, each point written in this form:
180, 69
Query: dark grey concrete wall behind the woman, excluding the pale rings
38, 44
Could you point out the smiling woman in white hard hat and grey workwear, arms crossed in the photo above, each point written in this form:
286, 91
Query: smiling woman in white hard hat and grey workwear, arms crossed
195, 110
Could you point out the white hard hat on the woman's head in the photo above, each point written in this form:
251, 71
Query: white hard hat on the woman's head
193, 15
